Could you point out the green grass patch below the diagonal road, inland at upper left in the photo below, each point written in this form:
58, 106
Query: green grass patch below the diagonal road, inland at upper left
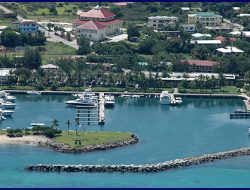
56, 50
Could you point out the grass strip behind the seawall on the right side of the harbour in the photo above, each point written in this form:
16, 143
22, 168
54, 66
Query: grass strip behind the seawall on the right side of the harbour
224, 90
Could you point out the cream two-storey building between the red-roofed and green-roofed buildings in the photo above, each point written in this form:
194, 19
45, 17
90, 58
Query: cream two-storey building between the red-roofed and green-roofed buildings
160, 21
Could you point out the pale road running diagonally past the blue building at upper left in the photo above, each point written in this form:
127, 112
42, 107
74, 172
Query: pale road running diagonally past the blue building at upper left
46, 32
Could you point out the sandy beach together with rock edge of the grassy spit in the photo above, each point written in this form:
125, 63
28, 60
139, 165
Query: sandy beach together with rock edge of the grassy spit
61, 147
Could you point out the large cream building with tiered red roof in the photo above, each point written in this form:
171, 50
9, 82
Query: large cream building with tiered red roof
96, 24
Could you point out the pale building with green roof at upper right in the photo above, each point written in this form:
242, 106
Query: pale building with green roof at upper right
205, 19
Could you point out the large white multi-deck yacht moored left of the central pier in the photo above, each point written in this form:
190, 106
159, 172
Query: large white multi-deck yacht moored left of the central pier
87, 98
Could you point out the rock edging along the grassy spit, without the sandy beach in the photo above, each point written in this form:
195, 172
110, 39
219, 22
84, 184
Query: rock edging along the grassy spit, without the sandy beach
61, 147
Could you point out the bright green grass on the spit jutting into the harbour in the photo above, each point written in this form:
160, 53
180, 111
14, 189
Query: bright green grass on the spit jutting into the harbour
92, 138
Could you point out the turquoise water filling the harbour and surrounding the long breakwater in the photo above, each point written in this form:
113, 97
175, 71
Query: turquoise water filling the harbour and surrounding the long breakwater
197, 126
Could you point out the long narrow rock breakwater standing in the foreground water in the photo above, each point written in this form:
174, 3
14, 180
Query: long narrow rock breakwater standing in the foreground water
178, 163
